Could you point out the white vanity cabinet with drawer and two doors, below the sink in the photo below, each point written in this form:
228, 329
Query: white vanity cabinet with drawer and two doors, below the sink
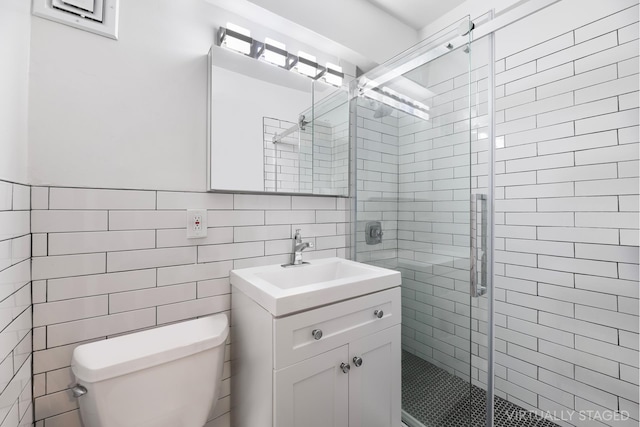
333, 366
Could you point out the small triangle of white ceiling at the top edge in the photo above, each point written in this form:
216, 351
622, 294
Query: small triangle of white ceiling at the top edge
416, 13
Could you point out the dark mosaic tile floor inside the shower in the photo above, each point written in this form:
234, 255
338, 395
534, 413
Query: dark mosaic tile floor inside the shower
438, 399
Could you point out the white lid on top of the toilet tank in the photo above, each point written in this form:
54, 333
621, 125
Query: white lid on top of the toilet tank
110, 358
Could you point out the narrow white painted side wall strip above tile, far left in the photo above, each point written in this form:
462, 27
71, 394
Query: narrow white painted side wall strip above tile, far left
15, 23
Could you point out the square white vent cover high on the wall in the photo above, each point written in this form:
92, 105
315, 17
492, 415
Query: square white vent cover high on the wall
97, 16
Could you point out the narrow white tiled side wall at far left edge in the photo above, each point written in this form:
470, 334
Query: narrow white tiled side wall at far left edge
16, 407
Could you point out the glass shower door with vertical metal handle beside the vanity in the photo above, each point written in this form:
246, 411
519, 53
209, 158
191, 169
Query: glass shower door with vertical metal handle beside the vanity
420, 131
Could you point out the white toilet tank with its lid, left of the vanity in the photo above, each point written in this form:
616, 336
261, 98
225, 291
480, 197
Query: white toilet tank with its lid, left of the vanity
164, 377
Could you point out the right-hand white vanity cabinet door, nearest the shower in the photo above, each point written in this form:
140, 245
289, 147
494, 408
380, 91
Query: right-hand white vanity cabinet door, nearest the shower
374, 385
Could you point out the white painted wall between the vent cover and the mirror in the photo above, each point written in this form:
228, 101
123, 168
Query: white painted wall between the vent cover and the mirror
122, 114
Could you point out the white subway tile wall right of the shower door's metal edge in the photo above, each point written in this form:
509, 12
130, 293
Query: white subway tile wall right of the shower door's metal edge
582, 287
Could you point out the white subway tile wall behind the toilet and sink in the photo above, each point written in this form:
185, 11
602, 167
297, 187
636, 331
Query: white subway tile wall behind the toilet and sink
110, 262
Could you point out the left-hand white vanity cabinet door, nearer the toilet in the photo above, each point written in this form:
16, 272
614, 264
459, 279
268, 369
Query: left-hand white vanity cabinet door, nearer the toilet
314, 392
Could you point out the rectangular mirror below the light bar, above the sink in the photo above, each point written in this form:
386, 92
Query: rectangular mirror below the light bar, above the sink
274, 130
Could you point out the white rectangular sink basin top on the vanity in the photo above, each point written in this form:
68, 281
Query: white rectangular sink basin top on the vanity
284, 290
